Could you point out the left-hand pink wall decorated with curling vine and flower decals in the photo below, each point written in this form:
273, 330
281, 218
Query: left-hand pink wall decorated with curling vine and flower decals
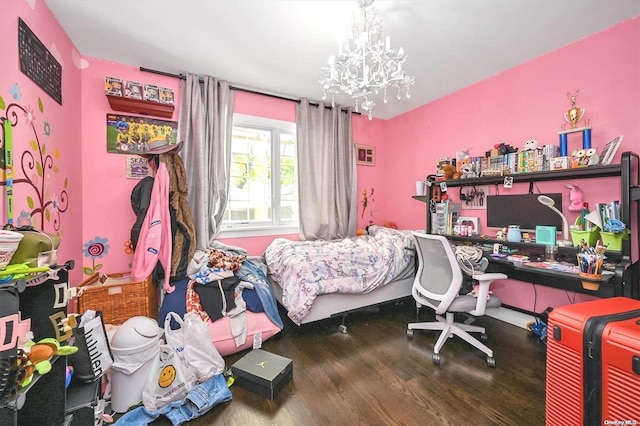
47, 141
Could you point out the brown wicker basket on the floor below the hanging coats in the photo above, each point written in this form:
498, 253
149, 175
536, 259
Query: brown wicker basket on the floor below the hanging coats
118, 296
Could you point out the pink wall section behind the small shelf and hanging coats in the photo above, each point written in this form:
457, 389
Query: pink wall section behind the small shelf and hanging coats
107, 213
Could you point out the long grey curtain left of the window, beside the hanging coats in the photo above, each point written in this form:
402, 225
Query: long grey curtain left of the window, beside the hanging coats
205, 125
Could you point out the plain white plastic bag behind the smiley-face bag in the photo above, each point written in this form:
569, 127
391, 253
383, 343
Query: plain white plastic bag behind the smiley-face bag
193, 343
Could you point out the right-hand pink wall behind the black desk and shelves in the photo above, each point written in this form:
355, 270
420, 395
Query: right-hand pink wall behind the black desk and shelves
525, 102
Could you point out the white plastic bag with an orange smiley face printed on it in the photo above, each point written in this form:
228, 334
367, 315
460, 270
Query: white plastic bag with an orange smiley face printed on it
169, 380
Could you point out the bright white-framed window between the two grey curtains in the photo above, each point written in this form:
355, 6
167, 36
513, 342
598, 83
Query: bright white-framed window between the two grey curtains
263, 192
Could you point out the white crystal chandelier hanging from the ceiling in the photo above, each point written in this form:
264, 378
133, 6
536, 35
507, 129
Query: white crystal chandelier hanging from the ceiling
365, 65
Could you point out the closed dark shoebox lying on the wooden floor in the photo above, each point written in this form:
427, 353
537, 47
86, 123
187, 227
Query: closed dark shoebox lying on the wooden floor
262, 372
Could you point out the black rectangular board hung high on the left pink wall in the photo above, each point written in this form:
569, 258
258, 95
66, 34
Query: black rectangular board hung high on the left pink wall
38, 63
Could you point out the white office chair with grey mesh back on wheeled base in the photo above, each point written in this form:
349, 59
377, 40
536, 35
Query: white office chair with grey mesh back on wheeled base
437, 285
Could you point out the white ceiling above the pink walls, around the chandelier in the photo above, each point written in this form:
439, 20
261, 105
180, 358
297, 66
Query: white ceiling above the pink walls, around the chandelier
280, 46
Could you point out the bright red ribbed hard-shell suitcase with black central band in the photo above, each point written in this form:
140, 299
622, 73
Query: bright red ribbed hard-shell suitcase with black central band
574, 372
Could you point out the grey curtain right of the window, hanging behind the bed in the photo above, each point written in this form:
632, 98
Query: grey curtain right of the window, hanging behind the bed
327, 184
